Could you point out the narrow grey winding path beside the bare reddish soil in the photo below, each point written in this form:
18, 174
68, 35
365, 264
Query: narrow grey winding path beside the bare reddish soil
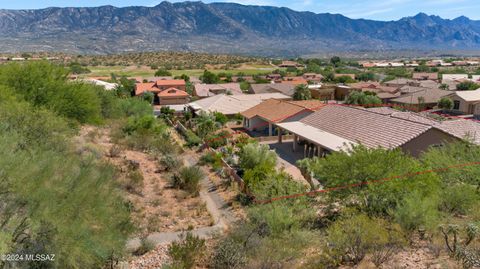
216, 206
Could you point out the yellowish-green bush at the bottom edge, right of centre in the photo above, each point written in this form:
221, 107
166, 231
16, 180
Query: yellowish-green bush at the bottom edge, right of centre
353, 237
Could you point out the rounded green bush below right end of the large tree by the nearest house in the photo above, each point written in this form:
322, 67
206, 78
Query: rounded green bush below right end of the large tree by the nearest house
417, 211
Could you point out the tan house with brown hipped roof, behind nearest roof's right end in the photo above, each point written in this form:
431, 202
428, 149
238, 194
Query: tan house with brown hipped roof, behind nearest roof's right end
421, 100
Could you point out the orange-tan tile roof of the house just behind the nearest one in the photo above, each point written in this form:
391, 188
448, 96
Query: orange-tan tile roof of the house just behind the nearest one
275, 110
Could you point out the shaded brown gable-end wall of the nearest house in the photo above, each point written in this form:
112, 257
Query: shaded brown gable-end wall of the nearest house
420, 144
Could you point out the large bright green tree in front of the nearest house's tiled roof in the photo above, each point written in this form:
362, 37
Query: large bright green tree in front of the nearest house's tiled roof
365, 165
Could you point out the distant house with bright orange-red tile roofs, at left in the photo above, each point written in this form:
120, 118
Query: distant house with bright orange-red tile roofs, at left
166, 92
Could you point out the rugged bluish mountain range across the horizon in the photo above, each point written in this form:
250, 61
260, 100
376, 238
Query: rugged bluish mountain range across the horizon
225, 28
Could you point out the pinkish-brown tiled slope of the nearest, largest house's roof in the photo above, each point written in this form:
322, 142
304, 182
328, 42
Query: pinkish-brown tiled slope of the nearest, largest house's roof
366, 127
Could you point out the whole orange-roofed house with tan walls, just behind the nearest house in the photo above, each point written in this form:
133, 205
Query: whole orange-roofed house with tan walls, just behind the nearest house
265, 115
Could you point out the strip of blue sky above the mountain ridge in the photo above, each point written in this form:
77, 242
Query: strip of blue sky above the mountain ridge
370, 9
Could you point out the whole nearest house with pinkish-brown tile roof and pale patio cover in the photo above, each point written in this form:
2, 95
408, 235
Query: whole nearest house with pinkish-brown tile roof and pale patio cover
337, 128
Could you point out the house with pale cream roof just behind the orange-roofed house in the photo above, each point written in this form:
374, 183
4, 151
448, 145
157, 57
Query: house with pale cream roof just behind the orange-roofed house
232, 105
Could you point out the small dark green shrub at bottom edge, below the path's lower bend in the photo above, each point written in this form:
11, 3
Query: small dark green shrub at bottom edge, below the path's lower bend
185, 253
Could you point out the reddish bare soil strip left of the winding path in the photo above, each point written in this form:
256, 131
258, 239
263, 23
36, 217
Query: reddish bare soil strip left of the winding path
156, 206
